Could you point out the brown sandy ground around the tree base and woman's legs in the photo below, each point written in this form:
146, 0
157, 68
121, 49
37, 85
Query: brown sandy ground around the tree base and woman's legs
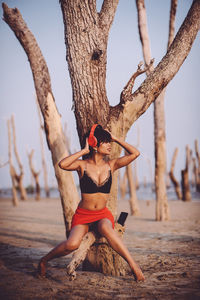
168, 253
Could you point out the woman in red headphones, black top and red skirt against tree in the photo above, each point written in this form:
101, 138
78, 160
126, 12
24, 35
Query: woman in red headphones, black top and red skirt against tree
95, 174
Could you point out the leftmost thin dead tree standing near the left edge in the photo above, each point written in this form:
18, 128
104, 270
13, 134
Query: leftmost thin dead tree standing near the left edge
12, 169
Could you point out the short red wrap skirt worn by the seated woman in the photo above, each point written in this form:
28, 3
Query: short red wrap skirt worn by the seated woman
86, 216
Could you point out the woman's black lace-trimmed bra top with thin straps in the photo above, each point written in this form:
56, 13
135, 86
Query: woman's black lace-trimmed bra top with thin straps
90, 186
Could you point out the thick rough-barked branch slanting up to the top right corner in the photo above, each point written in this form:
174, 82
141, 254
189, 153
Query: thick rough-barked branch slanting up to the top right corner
153, 85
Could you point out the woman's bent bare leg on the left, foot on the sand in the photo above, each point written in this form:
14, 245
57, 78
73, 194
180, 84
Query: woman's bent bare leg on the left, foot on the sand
64, 248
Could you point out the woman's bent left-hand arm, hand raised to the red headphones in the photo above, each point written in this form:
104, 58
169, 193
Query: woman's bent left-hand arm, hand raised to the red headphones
72, 162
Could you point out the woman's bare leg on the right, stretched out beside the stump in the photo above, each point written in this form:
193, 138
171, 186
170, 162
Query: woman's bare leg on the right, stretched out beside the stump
106, 230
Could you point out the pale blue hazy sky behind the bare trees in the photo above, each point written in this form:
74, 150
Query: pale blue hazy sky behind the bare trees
17, 93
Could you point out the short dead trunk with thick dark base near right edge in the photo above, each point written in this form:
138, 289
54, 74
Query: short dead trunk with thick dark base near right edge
185, 178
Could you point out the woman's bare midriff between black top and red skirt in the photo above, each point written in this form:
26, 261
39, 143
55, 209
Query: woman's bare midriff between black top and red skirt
93, 201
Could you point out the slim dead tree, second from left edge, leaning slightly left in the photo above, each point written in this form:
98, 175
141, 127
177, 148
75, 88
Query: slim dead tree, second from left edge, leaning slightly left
18, 177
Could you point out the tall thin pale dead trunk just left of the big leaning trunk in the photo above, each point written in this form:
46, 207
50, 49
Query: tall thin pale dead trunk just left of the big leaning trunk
44, 166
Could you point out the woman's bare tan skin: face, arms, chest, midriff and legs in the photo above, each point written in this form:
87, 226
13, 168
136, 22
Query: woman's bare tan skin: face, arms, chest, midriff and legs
97, 169
